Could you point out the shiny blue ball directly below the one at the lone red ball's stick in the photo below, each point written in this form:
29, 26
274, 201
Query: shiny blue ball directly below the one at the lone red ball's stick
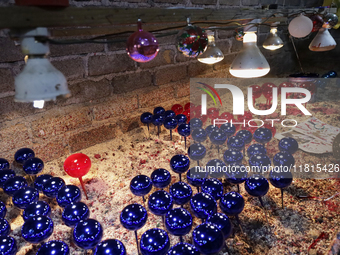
74, 213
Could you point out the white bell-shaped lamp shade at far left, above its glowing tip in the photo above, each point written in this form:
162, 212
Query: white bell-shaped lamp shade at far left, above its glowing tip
39, 80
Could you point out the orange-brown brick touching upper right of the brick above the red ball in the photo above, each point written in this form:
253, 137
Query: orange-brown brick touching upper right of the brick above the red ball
116, 107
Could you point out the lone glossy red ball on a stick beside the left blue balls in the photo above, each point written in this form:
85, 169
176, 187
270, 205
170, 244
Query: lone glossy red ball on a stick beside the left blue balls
77, 165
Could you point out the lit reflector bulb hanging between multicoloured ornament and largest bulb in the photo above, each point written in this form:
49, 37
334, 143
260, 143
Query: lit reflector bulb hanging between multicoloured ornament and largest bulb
212, 54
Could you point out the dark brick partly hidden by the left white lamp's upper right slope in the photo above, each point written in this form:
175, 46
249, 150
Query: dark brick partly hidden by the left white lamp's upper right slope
71, 68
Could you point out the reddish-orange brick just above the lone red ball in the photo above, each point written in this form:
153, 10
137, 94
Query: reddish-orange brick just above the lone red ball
92, 136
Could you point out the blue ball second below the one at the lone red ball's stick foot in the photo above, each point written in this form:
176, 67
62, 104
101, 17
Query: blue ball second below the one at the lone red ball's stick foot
87, 234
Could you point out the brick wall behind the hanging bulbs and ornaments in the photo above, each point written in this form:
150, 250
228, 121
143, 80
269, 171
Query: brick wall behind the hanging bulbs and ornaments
110, 91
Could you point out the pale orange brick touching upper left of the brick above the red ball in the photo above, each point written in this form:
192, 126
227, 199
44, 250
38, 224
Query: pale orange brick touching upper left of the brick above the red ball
55, 125
